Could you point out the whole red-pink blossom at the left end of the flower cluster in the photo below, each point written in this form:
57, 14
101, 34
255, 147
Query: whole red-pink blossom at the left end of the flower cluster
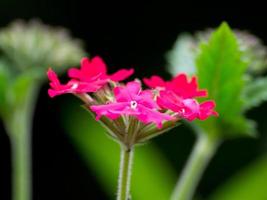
90, 78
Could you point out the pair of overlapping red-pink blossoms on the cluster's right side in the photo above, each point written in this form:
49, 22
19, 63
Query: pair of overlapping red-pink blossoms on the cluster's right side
177, 95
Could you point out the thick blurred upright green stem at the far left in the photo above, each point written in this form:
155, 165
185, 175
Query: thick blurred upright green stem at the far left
18, 125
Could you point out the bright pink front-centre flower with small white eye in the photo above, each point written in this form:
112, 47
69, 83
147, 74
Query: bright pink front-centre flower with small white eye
131, 100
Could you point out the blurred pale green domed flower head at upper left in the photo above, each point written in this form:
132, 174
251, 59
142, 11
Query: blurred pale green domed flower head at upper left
35, 45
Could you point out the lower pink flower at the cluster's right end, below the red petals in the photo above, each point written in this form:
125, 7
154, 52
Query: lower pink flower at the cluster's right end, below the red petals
188, 108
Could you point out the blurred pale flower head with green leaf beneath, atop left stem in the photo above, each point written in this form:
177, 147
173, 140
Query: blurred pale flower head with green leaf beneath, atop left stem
26, 51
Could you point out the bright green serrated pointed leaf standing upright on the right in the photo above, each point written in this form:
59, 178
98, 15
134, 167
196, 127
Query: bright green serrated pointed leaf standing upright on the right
221, 71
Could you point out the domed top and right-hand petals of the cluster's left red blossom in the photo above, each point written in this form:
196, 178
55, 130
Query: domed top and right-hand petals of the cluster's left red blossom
96, 68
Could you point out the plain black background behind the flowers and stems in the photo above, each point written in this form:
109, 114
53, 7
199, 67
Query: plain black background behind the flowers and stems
132, 35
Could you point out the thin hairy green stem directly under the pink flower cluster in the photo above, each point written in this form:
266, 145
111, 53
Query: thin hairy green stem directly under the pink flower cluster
125, 173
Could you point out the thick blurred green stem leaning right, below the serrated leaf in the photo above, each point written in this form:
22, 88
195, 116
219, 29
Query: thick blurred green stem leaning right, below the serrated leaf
204, 149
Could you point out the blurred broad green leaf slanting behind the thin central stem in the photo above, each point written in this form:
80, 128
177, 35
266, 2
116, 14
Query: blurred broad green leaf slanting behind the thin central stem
152, 176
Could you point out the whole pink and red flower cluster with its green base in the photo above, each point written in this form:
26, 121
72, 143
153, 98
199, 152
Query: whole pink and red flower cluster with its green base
130, 114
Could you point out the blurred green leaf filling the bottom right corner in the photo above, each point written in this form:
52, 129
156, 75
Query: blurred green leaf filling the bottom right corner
249, 184
